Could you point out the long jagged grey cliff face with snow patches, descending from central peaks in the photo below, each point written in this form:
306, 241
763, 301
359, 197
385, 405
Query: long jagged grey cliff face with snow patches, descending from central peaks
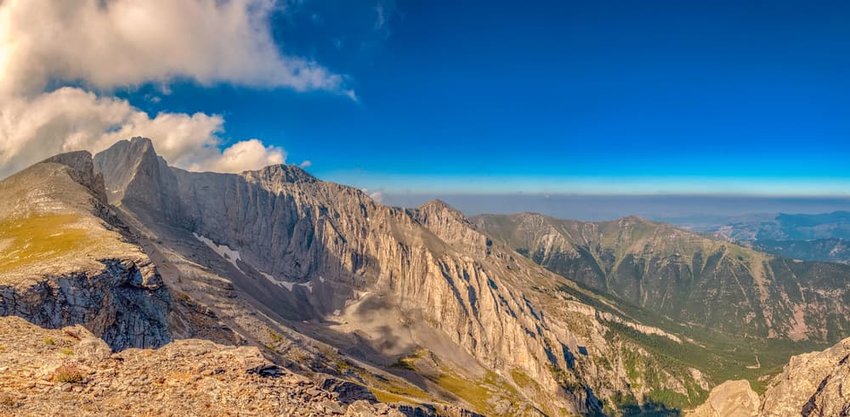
385, 283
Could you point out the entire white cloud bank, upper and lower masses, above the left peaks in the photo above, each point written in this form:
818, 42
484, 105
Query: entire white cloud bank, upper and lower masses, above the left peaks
104, 44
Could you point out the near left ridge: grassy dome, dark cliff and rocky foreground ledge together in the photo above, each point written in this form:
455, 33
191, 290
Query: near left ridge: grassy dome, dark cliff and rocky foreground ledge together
68, 261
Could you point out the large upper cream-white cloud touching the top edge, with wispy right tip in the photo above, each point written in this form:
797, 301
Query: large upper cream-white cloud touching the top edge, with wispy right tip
110, 43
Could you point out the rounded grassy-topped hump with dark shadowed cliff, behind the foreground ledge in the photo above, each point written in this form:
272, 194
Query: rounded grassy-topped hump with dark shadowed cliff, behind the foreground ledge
65, 261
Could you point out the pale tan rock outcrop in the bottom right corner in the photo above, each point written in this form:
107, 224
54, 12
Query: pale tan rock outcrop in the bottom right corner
811, 385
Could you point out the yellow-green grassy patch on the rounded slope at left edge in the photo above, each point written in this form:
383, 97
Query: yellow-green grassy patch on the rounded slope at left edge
35, 239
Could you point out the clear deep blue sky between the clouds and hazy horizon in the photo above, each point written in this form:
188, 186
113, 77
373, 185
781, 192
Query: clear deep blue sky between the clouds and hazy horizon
594, 96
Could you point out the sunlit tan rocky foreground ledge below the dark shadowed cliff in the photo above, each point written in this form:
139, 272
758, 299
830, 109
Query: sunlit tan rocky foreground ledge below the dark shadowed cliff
69, 371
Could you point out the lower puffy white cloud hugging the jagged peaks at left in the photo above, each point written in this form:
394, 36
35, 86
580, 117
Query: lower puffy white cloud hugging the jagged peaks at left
69, 119
